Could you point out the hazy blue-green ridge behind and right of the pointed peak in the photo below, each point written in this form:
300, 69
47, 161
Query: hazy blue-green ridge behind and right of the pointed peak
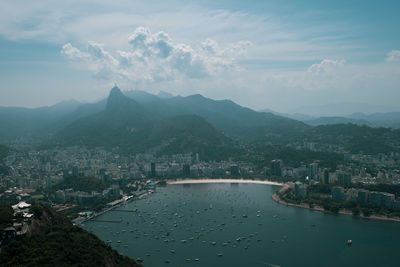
234, 120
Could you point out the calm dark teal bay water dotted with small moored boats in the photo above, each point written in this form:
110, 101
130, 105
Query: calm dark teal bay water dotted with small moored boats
179, 224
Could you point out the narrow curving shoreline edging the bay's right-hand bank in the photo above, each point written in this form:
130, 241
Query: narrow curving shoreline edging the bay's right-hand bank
275, 197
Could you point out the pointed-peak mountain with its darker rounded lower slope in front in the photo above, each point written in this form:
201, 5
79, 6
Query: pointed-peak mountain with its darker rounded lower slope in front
133, 127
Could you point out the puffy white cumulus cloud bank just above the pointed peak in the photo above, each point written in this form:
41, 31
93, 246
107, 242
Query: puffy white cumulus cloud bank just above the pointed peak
155, 57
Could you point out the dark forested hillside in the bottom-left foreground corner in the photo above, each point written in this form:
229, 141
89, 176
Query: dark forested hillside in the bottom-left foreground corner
54, 241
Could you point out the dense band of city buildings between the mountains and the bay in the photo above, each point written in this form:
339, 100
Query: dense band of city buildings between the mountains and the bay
107, 176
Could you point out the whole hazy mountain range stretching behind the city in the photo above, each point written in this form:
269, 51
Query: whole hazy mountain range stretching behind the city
136, 121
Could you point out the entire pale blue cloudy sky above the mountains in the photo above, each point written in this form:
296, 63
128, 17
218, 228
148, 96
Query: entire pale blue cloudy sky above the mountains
280, 55
